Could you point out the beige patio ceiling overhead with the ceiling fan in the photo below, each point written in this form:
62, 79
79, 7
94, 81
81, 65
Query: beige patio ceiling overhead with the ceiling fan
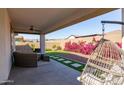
47, 20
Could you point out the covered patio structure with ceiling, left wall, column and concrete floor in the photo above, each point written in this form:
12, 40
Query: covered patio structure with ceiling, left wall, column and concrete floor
43, 21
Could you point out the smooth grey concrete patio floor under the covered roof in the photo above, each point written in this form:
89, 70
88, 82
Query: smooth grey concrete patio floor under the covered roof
47, 73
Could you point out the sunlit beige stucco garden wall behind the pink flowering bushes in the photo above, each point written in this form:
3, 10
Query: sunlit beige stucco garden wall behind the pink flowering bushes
114, 36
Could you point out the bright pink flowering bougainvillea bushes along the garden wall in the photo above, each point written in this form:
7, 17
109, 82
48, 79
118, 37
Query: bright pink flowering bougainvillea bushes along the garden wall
84, 47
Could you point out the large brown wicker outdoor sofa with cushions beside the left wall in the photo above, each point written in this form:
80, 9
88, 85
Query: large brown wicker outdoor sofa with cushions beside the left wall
25, 57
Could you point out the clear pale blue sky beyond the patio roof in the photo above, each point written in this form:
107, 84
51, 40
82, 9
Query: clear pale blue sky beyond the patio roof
91, 26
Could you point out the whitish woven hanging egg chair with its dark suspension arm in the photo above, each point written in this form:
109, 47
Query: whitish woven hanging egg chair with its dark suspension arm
105, 65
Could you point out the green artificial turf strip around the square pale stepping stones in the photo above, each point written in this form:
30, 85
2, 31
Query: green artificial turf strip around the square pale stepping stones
54, 54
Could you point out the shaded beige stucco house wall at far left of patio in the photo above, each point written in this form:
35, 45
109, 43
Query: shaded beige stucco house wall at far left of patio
5, 45
